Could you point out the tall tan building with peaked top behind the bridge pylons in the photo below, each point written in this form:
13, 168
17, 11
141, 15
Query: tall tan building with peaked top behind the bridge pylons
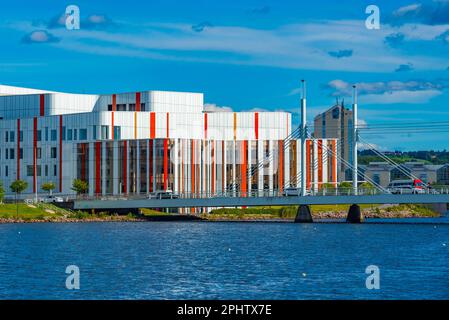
337, 123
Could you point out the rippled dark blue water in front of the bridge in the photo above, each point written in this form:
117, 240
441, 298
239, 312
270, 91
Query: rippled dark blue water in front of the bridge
167, 260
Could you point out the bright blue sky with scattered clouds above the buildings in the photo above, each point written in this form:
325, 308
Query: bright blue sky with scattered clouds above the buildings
243, 55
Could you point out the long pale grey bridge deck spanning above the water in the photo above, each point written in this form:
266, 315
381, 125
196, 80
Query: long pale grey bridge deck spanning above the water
260, 201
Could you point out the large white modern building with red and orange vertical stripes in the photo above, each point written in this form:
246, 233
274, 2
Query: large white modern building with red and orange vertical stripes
142, 142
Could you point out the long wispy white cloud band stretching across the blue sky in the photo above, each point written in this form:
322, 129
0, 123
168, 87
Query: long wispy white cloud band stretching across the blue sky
297, 46
